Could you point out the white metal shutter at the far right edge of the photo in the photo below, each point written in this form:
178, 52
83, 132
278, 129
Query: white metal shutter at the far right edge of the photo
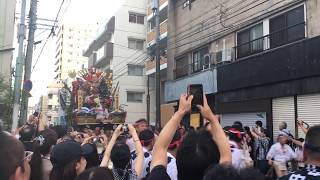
309, 110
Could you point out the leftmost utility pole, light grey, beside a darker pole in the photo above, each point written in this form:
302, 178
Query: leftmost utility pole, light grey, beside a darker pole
19, 67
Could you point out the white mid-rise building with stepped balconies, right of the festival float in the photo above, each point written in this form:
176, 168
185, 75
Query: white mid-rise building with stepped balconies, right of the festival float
120, 48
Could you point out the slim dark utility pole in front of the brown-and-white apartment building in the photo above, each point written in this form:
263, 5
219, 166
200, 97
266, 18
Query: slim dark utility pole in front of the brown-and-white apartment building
155, 9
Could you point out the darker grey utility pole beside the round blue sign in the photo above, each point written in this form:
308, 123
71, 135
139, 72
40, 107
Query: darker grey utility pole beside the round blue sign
29, 53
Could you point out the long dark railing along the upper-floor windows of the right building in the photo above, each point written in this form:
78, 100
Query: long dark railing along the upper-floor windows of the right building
273, 40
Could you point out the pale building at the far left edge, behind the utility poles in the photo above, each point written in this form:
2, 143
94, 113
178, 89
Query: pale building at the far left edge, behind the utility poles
7, 20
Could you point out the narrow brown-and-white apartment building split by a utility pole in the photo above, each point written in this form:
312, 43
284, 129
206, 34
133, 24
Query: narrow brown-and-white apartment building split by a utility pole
150, 65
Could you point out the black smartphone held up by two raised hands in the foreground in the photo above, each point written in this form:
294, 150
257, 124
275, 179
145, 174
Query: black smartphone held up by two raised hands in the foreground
197, 91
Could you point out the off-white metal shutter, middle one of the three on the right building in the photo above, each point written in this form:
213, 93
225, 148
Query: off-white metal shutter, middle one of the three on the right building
283, 110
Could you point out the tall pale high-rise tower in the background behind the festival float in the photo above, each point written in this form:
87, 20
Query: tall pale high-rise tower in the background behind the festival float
71, 39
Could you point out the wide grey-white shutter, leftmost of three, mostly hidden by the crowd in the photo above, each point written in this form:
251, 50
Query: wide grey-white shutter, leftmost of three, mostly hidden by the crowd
247, 119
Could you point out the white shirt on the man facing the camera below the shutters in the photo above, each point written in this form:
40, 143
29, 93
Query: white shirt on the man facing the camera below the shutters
281, 153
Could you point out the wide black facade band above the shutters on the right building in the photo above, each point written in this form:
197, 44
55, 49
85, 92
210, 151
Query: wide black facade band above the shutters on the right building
297, 60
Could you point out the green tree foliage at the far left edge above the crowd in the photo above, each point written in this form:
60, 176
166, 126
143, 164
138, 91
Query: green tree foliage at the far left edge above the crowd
6, 102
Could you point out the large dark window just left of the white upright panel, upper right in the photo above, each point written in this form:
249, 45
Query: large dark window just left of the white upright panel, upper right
250, 41
